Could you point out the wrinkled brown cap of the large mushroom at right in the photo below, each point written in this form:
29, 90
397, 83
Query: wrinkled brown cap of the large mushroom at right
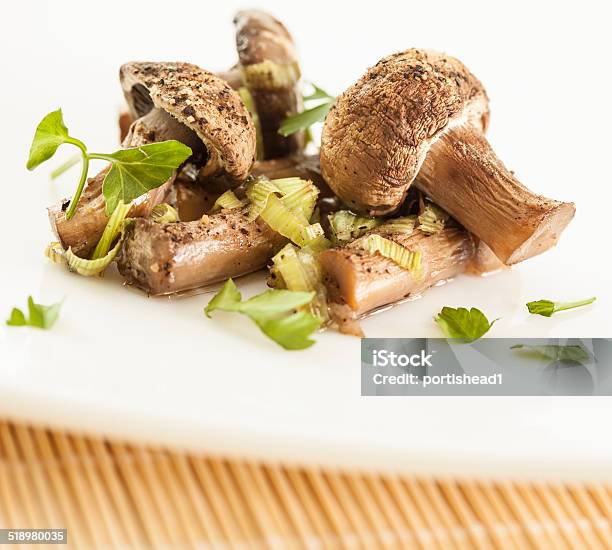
377, 134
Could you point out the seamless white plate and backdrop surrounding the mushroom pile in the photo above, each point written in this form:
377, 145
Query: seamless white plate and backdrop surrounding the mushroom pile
156, 369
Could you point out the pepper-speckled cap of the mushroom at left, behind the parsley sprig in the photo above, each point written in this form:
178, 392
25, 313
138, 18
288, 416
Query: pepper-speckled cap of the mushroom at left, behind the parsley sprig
201, 101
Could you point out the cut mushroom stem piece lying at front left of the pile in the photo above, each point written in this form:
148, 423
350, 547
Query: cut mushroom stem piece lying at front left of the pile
174, 257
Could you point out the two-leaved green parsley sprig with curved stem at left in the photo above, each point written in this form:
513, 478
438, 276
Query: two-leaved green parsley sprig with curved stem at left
133, 171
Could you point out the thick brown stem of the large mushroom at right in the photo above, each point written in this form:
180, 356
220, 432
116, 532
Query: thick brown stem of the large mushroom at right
463, 175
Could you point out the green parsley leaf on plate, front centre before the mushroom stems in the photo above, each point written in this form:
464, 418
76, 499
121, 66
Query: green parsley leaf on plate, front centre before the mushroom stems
274, 313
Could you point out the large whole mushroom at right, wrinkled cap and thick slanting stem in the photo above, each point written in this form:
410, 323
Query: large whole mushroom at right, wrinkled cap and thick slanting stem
422, 112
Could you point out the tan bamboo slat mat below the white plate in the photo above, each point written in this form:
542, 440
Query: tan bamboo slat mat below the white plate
111, 495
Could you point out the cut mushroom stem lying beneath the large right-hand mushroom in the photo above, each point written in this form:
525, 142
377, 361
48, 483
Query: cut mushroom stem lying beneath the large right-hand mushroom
364, 282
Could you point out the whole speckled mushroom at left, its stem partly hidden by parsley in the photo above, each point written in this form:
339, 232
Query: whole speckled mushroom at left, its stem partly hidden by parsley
169, 101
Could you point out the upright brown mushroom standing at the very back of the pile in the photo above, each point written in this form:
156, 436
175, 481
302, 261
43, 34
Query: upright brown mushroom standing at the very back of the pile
271, 72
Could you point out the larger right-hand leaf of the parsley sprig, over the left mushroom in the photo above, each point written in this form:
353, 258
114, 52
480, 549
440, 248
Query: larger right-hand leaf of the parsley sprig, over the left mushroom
136, 171
